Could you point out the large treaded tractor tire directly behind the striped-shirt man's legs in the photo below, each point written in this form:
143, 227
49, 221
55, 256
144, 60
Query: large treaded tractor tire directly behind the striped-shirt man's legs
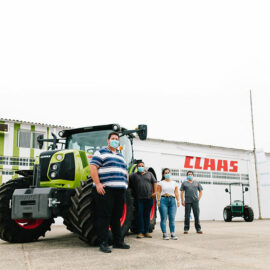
81, 214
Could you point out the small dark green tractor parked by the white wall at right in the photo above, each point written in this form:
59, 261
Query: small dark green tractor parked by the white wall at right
238, 208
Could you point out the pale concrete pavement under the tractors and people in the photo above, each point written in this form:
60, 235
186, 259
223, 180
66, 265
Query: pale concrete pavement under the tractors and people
235, 245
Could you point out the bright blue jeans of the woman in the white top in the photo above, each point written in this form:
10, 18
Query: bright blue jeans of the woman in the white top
167, 208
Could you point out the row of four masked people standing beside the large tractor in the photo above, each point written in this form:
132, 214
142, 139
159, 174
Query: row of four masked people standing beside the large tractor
111, 179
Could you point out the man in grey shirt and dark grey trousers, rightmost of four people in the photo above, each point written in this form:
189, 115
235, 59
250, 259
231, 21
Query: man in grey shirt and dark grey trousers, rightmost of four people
191, 189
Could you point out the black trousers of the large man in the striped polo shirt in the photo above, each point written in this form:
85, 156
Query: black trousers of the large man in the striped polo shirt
109, 209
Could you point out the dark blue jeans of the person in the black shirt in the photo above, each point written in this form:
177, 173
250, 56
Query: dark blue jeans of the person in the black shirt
144, 211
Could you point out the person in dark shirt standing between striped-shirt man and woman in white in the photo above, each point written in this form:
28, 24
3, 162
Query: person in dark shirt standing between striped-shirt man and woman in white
145, 186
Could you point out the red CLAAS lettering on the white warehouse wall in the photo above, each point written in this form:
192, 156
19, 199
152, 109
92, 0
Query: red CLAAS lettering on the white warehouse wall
211, 164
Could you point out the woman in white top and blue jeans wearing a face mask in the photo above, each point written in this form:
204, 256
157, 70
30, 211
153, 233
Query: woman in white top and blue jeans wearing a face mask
167, 191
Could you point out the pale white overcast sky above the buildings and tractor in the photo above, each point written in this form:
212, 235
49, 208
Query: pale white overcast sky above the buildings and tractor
184, 68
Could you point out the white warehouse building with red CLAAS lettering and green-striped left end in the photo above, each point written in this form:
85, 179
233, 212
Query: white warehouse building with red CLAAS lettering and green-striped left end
214, 167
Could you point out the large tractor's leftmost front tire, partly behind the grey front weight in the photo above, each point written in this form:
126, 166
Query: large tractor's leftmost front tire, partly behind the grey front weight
16, 232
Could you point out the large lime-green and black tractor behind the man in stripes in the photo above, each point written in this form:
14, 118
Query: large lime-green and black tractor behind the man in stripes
60, 185
